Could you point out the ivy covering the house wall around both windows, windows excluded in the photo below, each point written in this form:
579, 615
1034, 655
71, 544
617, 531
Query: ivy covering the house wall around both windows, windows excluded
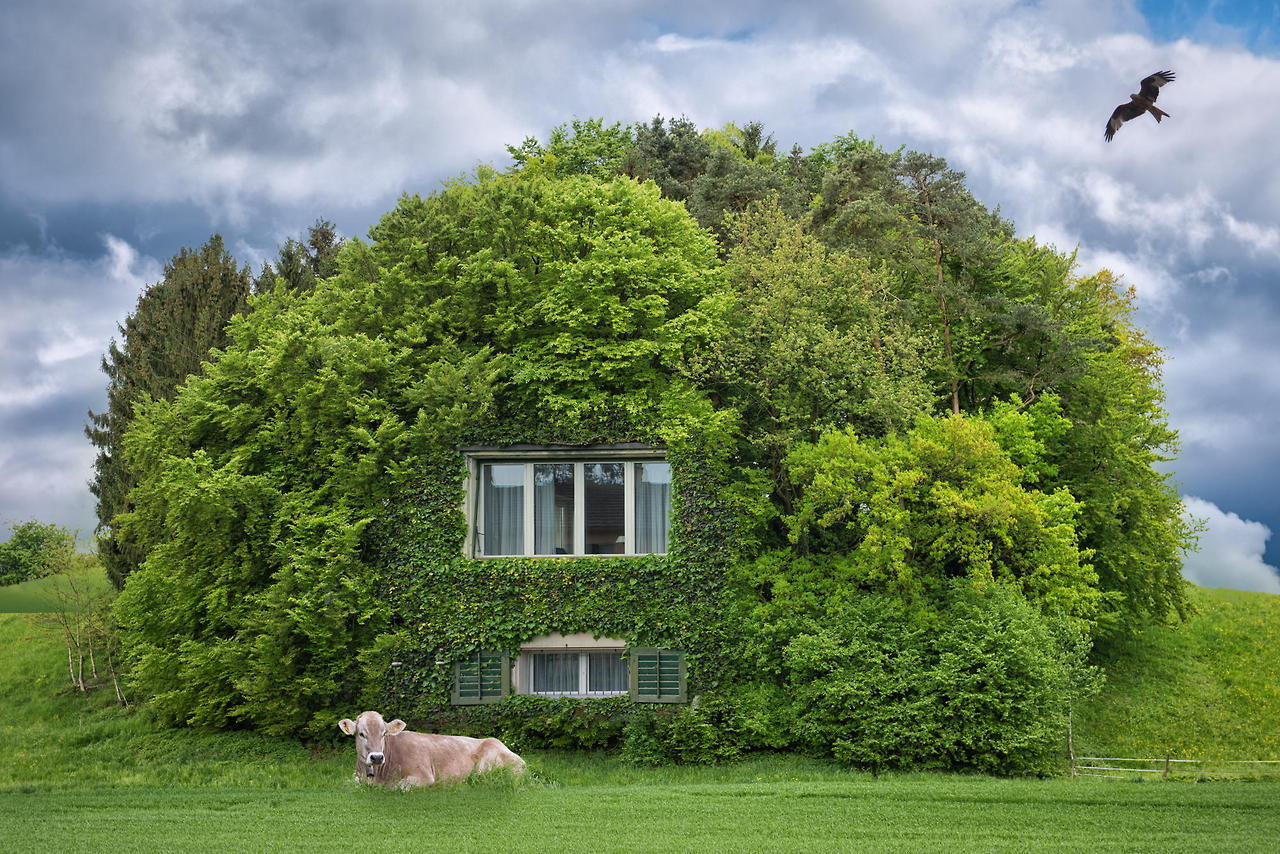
449, 605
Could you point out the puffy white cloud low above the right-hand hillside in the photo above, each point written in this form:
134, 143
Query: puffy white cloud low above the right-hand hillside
1231, 551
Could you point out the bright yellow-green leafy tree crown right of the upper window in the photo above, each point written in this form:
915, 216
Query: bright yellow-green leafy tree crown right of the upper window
941, 503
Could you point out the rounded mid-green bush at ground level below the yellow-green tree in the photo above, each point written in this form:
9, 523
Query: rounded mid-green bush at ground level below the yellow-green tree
975, 681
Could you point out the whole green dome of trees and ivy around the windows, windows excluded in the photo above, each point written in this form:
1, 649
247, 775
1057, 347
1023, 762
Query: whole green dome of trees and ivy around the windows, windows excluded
895, 432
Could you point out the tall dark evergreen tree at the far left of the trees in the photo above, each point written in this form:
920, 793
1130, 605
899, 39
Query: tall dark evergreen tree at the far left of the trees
171, 332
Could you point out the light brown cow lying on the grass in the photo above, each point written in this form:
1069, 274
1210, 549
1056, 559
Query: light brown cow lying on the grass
390, 755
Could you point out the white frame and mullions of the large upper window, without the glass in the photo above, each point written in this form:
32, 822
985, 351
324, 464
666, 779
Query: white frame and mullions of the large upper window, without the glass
580, 459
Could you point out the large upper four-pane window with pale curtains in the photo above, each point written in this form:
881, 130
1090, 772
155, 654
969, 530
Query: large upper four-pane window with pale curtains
554, 505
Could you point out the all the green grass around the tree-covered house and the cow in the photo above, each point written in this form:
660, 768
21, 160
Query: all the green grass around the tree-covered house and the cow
79, 774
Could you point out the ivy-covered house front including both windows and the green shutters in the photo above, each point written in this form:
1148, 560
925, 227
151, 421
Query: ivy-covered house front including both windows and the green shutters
579, 574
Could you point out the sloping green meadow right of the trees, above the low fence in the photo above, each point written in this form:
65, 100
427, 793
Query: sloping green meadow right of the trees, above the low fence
1209, 689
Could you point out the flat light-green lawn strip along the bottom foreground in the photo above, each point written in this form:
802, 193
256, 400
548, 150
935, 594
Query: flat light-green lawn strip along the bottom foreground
912, 814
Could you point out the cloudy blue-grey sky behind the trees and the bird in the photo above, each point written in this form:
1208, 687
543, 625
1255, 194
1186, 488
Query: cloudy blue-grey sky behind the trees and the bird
132, 129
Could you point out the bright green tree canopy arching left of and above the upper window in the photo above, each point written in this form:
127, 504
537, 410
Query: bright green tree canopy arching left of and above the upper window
573, 298
